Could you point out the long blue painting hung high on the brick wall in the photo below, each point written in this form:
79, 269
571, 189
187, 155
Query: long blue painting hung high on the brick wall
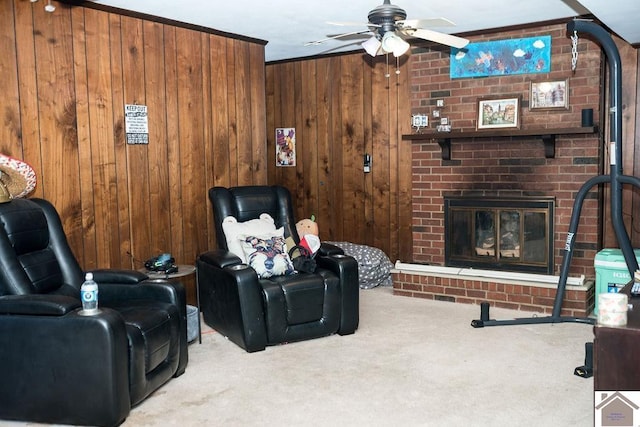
501, 57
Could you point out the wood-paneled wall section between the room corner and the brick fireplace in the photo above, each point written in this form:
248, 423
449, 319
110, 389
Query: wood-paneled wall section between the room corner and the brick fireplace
342, 107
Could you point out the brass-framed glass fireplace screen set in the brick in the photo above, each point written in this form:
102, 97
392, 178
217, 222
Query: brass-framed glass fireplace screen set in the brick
507, 234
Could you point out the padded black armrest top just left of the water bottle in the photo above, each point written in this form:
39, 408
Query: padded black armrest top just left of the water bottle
38, 305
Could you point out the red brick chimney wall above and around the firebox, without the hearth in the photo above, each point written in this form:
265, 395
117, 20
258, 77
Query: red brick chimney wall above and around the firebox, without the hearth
502, 164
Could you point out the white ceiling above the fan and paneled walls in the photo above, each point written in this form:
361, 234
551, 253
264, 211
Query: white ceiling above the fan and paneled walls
288, 24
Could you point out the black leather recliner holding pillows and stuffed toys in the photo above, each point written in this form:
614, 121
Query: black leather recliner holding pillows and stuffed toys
253, 312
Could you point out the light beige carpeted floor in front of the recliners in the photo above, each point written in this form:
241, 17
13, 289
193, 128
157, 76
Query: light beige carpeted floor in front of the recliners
412, 362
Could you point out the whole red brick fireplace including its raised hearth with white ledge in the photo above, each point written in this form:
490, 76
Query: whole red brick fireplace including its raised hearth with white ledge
507, 167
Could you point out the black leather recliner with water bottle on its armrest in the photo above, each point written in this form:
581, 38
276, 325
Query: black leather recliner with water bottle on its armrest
59, 366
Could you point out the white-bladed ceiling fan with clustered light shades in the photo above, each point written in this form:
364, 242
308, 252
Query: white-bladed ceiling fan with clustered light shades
390, 28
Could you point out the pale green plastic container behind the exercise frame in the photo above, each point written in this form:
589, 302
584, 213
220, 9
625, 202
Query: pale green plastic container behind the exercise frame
611, 272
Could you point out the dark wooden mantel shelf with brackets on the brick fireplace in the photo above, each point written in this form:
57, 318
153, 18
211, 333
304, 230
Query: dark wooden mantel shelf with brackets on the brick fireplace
548, 137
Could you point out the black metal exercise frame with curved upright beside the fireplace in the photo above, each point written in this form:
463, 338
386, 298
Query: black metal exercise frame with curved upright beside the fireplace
615, 178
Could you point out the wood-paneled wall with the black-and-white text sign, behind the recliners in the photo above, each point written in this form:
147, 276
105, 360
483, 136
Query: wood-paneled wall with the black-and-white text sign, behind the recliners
66, 77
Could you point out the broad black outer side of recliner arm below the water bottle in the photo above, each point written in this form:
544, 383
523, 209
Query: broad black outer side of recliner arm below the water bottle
91, 351
